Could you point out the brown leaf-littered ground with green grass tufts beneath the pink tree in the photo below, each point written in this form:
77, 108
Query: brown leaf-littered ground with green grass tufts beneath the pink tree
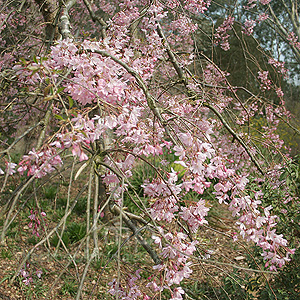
62, 270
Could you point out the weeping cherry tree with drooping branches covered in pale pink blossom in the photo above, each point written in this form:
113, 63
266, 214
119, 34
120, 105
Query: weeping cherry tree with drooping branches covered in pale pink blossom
122, 85
